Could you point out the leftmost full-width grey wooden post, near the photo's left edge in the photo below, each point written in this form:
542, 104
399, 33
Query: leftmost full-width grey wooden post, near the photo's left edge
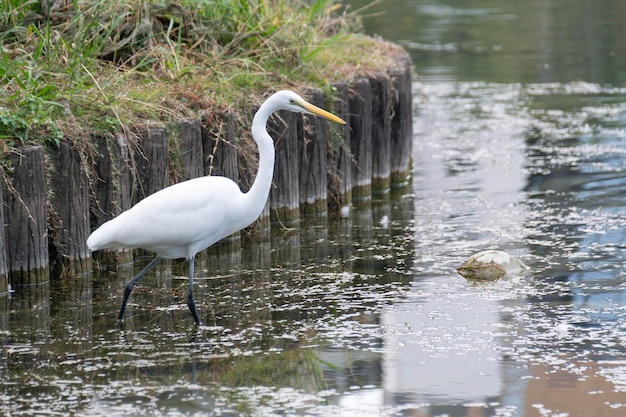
25, 216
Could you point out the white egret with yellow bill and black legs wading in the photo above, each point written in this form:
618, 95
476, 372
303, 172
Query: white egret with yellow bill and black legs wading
186, 218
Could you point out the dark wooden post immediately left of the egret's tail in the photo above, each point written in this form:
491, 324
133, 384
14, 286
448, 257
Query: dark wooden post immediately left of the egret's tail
69, 218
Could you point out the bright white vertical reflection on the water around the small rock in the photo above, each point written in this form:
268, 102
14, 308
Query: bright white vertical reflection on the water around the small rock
441, 344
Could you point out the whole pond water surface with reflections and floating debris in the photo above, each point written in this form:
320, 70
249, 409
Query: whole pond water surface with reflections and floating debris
520, 121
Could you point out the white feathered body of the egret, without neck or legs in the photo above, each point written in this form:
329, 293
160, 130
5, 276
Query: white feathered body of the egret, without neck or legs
180, 220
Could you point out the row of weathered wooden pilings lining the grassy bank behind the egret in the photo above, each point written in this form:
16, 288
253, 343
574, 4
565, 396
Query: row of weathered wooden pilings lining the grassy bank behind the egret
54, 198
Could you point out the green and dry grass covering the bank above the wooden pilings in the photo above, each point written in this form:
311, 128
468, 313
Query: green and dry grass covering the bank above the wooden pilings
99, 65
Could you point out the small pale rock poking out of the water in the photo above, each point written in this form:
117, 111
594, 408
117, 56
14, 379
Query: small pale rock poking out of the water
490, 265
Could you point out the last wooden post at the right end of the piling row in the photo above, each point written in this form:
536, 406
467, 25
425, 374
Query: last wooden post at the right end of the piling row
401, 125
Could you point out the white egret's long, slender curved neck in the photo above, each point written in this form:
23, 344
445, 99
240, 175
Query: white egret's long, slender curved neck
260, 189
